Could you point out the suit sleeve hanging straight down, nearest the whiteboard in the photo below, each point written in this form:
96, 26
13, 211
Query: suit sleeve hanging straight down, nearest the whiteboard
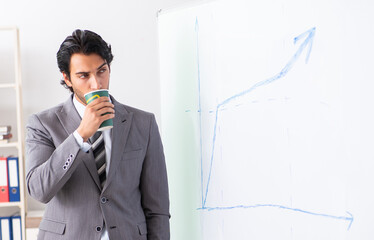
154, 187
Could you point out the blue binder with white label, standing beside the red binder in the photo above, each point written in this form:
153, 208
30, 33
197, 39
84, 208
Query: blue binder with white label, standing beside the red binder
13, 177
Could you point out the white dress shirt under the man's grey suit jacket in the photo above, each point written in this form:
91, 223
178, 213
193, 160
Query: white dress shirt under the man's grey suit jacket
85, 146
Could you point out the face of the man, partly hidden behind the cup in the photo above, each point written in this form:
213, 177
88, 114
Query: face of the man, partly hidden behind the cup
87, 73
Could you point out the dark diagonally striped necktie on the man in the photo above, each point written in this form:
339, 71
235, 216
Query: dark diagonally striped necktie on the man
98, 148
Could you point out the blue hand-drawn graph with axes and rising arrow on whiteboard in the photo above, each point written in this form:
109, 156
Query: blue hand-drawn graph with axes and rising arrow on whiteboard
306, 45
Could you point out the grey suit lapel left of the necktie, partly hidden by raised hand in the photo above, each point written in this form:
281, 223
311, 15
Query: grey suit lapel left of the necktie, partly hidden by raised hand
70, 120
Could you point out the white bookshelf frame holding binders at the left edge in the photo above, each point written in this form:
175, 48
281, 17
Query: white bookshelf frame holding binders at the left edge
16, 84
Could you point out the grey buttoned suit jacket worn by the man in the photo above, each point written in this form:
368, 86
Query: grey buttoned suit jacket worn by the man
134, 203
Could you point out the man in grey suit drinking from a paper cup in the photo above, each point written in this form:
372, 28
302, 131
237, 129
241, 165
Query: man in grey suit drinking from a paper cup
131, 201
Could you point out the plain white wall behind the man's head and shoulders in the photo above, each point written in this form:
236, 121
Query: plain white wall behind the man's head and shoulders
129, 26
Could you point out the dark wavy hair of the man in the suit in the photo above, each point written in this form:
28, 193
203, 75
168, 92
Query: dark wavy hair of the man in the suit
81, 41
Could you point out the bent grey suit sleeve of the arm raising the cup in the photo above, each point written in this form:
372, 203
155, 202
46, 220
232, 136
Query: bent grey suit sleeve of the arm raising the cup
48, 167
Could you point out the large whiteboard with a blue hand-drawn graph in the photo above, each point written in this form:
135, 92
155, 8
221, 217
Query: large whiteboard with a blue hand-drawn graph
267, 119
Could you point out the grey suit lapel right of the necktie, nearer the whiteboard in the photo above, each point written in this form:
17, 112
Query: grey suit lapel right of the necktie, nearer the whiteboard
121, 128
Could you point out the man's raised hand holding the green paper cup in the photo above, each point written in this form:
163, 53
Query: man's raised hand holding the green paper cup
94, 116
